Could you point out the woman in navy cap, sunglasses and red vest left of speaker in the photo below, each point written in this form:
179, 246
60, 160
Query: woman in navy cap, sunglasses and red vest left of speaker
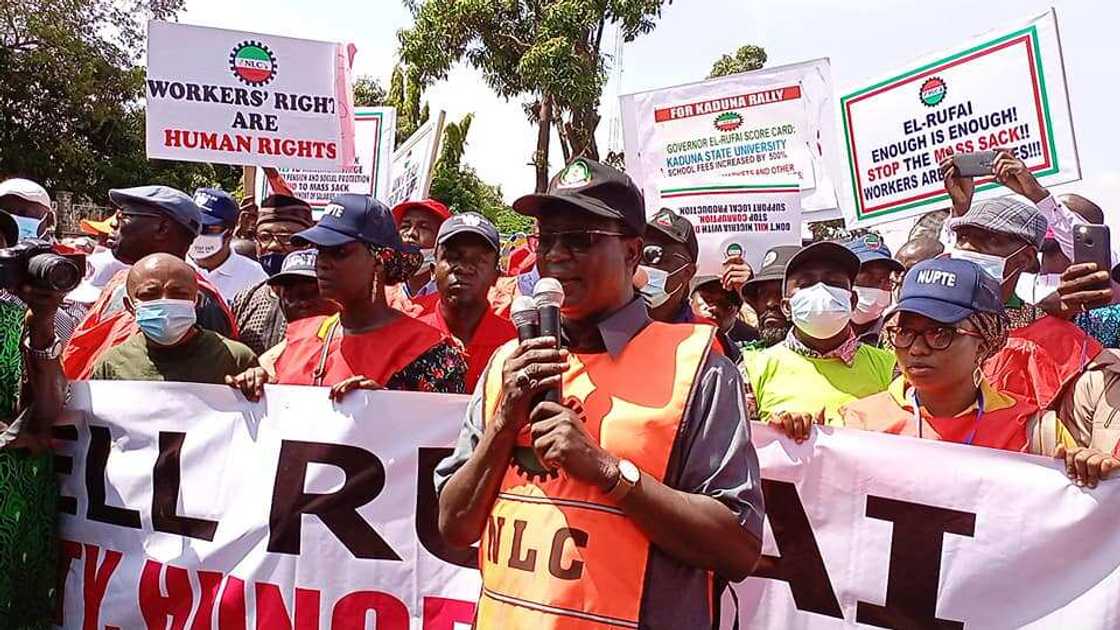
368, 345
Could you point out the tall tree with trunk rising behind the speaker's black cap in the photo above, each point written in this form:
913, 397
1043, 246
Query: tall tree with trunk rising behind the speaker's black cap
548, 53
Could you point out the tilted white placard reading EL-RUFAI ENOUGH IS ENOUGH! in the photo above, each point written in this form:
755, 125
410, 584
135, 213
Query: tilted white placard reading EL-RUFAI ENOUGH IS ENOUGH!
1003, 90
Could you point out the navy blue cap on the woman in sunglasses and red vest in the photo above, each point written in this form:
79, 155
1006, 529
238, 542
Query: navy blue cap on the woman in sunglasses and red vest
352, 218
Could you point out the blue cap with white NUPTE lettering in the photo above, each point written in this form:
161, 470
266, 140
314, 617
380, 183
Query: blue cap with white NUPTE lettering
949, 290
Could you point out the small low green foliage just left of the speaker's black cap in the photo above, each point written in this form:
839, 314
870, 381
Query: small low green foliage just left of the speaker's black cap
459, 187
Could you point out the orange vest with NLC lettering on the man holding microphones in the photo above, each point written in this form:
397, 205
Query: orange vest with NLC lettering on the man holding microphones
557, 554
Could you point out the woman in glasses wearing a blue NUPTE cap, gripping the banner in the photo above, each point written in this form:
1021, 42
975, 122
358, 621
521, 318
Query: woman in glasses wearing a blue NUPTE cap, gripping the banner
949, 321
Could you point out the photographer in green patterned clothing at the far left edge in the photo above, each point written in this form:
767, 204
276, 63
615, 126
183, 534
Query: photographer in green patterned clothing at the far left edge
32, 395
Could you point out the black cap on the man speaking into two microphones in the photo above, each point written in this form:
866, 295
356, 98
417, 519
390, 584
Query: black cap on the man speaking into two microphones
589, 187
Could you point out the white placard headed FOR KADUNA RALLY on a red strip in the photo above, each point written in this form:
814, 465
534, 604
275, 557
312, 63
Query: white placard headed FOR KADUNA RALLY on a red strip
776, 124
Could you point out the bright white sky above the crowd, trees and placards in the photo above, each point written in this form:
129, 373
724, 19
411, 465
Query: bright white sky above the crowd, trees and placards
864, 40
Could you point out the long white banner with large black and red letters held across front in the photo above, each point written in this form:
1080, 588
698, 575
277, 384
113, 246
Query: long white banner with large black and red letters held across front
204, 511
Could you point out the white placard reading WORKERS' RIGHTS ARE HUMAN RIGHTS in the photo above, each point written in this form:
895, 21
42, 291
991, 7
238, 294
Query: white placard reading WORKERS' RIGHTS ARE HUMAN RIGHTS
228, 97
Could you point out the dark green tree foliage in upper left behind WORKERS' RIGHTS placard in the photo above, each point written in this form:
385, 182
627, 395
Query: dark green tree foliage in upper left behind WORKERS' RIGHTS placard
71, 85
